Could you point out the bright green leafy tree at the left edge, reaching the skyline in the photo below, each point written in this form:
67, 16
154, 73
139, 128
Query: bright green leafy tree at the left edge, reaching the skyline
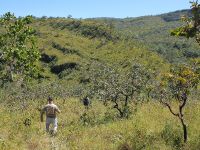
18, 51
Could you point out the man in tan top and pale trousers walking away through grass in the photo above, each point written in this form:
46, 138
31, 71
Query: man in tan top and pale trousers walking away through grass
51, 111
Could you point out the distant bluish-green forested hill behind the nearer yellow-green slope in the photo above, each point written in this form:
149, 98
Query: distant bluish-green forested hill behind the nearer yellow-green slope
154, 33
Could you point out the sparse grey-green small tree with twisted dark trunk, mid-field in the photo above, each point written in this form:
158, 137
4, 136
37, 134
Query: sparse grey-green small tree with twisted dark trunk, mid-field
118, 86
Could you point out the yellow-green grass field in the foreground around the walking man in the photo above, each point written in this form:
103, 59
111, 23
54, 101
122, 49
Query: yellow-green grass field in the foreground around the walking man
151, 126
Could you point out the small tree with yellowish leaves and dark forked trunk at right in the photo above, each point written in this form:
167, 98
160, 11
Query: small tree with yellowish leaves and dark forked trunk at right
178, 85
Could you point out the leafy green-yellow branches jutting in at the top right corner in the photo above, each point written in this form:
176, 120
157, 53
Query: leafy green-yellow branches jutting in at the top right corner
192, 27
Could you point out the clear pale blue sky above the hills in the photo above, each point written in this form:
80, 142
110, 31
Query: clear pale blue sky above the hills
91, 8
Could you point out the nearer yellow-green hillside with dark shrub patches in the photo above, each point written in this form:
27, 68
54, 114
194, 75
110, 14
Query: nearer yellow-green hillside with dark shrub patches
70, 44
